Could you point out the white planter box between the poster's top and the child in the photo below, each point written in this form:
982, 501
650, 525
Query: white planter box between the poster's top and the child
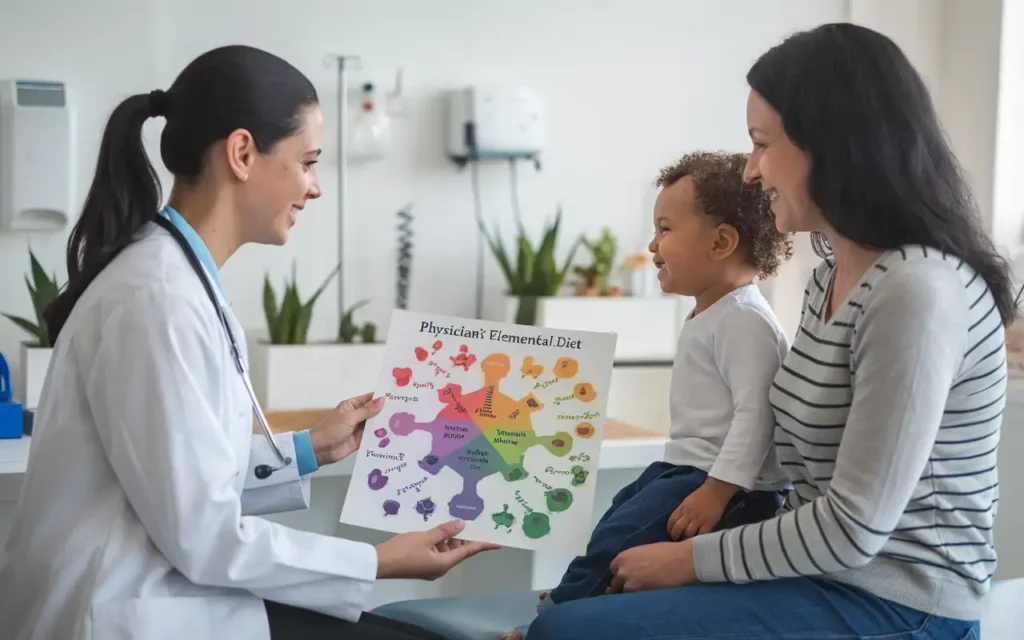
648, 328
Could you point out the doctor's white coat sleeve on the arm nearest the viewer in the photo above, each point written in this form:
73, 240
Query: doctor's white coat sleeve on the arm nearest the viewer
150, 394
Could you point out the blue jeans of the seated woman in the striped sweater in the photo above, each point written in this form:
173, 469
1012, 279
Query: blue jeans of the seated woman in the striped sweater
796, 609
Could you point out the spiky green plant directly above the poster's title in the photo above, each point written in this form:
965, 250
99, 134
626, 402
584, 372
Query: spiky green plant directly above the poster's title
535, 274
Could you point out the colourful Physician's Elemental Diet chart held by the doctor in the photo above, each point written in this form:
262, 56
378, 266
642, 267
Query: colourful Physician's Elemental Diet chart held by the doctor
500, 425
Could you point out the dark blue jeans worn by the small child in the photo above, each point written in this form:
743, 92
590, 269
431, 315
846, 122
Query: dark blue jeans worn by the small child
639, 516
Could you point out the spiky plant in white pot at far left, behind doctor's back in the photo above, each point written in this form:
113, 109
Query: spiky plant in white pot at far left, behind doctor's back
35, 357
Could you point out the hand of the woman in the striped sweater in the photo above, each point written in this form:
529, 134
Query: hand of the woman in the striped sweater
661, 566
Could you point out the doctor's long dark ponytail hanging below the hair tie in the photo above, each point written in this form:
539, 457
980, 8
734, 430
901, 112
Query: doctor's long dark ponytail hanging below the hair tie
124, 196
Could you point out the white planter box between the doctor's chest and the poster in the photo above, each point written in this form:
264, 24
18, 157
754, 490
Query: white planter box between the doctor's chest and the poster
313, 376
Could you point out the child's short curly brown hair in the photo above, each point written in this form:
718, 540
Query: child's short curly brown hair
722, 194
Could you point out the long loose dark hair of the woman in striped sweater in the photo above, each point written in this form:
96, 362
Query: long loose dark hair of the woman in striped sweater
882, 172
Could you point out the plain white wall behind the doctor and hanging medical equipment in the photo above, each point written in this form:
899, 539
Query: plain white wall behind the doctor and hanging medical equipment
629, 88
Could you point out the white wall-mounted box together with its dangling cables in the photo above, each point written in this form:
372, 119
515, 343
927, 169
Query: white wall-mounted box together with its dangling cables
493, 123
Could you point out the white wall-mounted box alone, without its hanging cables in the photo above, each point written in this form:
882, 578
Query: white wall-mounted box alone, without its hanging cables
494, 123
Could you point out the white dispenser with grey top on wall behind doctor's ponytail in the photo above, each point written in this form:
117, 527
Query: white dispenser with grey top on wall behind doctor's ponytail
36, 156
